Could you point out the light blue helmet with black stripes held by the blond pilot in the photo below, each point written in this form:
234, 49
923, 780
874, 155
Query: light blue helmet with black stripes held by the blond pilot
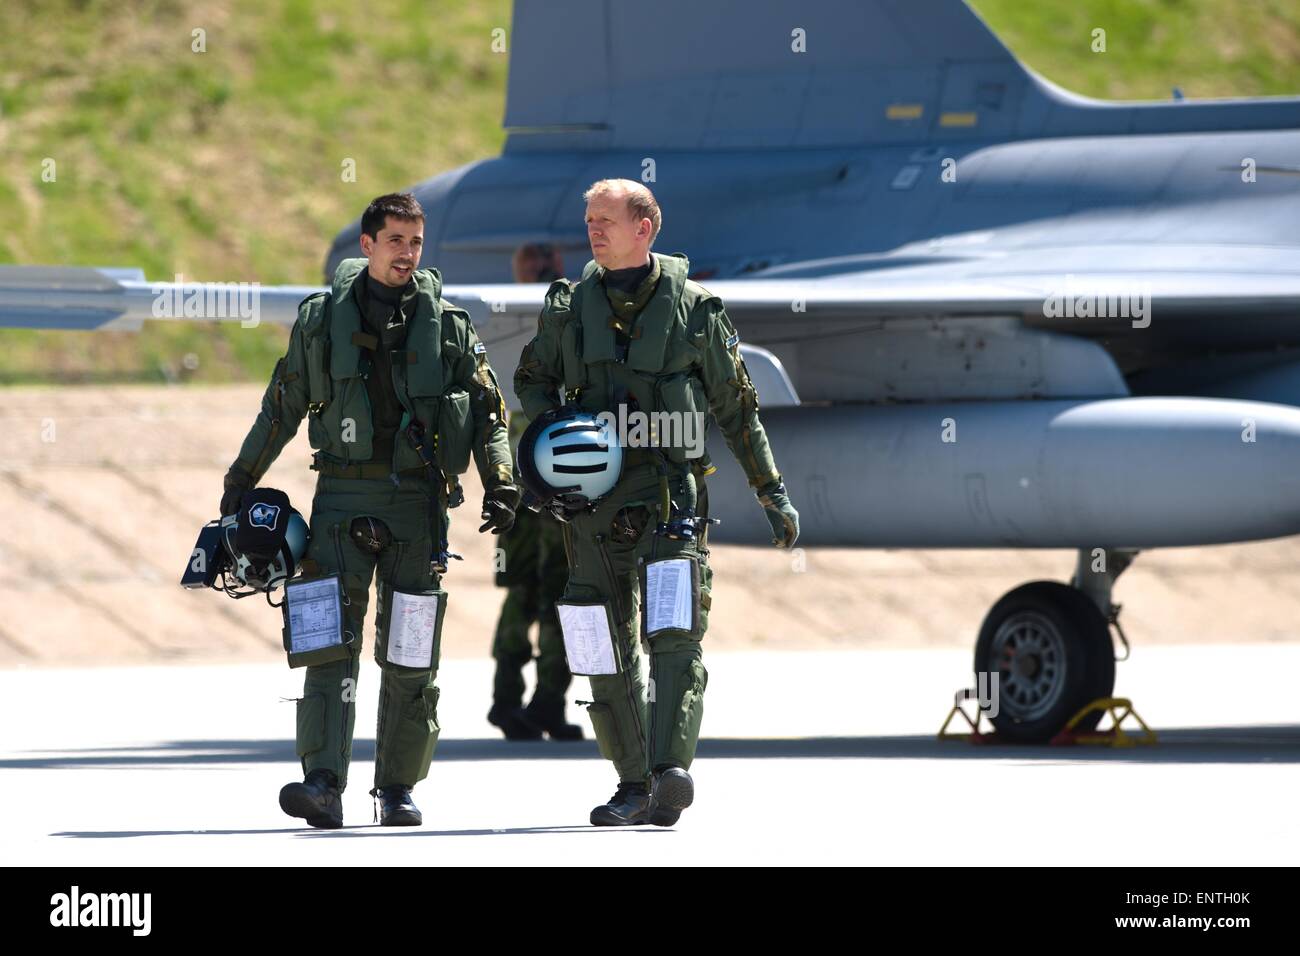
570, 456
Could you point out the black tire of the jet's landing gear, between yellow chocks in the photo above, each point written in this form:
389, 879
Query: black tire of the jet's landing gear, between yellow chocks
1052, 651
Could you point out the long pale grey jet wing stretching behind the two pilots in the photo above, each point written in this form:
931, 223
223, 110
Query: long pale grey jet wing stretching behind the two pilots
1163, 282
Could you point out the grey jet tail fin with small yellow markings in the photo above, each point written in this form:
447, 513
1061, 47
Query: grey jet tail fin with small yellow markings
683, 75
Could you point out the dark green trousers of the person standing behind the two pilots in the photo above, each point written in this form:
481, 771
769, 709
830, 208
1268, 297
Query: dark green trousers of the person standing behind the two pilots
534, 574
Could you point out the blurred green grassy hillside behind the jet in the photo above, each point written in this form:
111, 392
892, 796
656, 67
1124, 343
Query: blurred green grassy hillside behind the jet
227, 165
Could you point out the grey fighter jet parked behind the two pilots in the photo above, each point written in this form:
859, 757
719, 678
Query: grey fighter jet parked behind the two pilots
981, 312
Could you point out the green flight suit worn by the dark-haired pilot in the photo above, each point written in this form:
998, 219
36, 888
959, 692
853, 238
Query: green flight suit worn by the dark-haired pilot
443, 380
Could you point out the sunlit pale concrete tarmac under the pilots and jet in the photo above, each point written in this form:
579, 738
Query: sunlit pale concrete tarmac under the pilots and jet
808, 758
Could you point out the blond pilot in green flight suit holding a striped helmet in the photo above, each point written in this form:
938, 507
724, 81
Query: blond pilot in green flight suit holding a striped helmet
636, 332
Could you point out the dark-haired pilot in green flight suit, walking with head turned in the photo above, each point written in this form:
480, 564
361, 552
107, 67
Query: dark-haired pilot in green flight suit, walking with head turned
398, 395
